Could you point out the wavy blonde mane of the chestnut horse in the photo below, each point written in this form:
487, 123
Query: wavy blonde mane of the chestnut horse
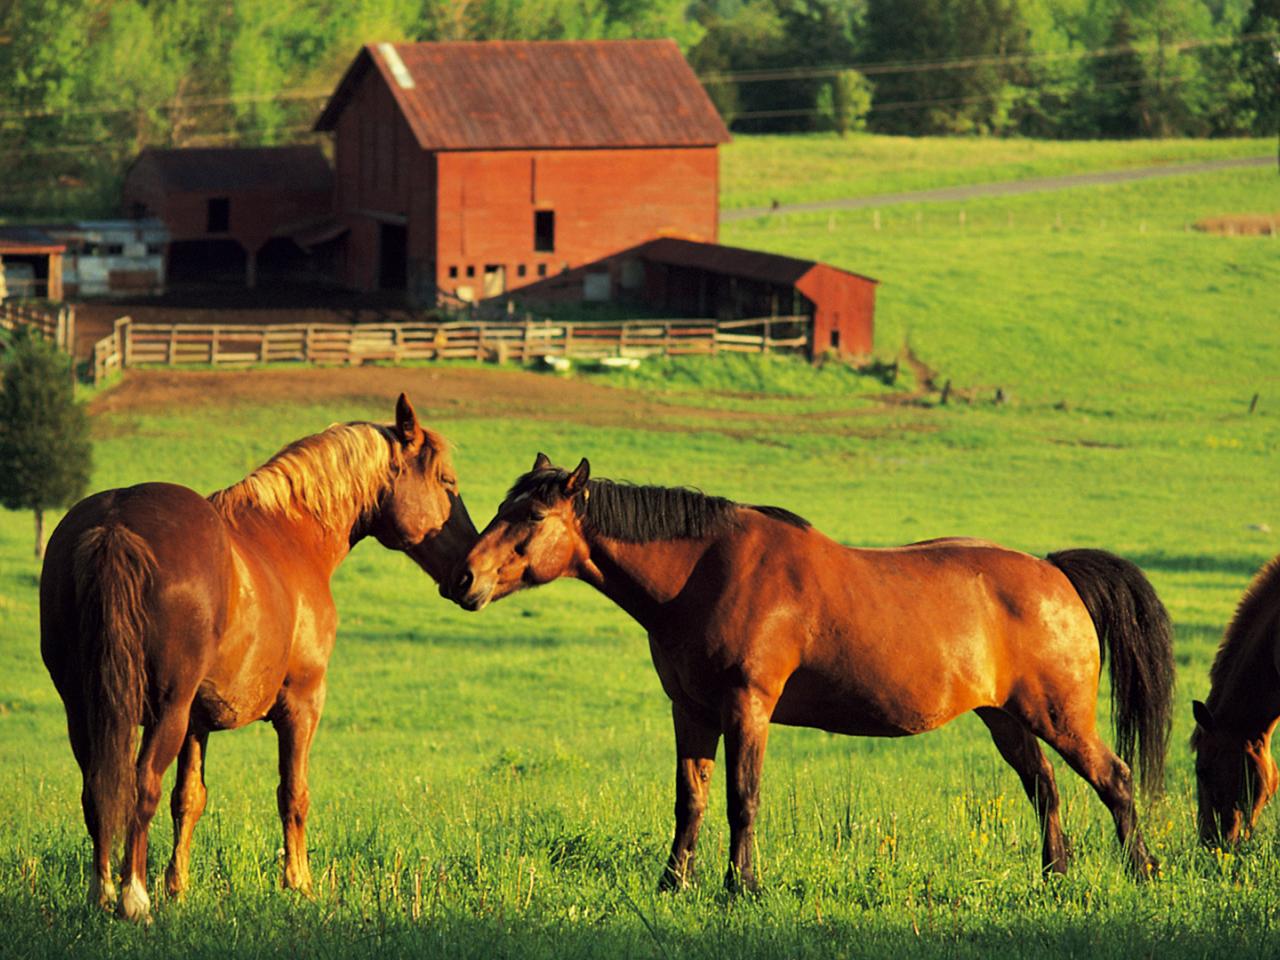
335, 477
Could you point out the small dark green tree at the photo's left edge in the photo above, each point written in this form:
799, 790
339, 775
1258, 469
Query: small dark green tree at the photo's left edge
45, 452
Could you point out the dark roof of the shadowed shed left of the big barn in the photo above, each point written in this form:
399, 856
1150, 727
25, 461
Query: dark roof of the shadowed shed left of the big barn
232, 170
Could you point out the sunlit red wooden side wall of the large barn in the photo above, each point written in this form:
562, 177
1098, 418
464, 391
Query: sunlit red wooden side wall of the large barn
604, 200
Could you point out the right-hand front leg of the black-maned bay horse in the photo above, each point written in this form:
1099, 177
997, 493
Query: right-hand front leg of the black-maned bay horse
746, 721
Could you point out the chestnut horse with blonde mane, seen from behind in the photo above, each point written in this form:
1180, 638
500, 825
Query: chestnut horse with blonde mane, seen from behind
184, 615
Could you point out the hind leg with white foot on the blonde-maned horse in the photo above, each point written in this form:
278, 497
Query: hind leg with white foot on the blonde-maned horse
161, 746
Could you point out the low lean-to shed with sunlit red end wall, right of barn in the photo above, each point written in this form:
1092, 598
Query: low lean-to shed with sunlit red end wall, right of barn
710, 280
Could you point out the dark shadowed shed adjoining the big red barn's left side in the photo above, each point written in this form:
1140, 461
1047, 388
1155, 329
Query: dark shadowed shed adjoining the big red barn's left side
230, 211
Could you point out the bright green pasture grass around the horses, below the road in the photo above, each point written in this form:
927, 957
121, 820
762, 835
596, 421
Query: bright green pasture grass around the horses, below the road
500, 784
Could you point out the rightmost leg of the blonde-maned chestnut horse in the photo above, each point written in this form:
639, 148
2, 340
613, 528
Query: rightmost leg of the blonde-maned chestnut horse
296, 721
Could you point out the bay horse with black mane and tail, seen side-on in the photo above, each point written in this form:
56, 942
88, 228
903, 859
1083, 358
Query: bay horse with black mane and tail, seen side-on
756, 618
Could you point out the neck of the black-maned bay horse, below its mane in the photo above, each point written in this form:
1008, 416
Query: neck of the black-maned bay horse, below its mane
642, 578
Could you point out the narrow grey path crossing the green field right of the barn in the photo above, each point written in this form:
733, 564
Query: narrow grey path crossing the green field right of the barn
1003, 190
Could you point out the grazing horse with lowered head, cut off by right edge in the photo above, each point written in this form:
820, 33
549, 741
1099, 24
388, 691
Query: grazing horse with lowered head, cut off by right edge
1236, 774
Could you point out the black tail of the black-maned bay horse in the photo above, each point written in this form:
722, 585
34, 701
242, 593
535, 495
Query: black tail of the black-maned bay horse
1133, 625
